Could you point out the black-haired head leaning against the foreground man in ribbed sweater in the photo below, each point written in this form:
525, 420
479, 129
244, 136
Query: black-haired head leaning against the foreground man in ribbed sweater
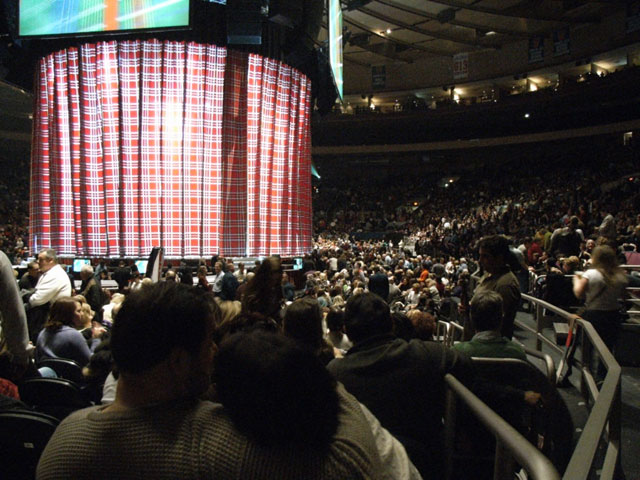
274, 391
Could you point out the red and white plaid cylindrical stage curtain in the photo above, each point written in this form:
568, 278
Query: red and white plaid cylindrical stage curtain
182, 145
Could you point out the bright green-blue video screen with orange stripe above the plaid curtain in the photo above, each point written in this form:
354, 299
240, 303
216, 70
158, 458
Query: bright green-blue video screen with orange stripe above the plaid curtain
64, 17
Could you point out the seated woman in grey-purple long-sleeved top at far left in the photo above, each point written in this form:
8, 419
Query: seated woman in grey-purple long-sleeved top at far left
59, 338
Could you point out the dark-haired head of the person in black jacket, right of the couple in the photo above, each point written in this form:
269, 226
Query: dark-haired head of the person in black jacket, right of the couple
366, 315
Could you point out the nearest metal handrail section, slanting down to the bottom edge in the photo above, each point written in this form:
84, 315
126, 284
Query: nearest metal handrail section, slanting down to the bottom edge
510, 444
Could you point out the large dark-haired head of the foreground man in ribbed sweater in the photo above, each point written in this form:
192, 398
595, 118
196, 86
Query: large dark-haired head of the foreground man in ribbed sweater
157, 324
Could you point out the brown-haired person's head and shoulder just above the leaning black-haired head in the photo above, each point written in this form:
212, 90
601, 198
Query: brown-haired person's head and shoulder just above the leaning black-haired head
303, 322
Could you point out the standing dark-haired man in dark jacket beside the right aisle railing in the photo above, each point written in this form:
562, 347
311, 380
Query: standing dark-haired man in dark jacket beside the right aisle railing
494, 255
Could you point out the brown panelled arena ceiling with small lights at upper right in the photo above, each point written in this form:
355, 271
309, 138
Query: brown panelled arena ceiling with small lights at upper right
429, 47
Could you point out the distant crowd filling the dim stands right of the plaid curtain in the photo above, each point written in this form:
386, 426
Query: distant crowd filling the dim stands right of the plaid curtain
508, 198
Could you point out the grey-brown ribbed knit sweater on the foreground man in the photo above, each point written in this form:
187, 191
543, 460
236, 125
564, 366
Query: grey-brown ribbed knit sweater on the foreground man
192, 439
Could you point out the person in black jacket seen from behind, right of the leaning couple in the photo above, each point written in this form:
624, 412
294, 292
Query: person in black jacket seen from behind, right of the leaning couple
401, 382
